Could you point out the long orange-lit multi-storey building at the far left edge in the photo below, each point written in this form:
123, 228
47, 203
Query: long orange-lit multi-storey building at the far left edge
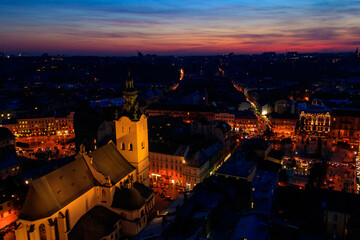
27, 127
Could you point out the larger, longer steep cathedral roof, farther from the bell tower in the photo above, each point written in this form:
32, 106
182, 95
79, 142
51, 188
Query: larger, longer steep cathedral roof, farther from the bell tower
52, 192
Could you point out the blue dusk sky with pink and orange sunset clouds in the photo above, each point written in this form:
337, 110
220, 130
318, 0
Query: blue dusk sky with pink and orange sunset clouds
178, 27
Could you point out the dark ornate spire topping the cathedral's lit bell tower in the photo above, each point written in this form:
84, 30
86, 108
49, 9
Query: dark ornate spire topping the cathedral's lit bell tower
131, 106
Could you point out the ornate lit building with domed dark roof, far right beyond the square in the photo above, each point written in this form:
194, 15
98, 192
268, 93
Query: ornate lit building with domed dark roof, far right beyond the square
315, 119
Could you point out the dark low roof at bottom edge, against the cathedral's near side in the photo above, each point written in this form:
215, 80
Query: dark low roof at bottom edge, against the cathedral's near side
95, 224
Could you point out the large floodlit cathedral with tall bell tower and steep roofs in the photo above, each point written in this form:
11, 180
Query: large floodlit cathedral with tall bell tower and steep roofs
102, 194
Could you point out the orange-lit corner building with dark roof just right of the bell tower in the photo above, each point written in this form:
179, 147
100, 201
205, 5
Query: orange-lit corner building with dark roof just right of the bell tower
182, 165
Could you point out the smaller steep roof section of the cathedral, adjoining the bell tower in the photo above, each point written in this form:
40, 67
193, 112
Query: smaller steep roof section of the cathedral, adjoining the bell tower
109, 161
